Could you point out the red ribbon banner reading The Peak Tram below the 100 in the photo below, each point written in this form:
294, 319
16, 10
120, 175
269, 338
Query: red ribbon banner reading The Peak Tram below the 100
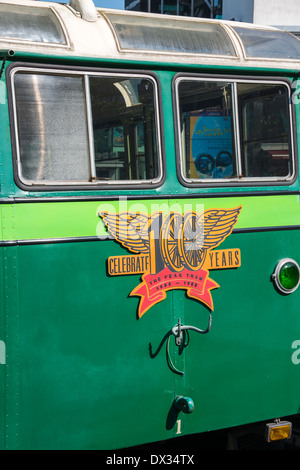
154, 286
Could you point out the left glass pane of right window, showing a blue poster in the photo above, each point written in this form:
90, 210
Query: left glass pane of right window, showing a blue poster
207, 129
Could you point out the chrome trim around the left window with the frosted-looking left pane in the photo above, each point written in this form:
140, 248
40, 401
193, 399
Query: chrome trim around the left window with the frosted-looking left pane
98, 184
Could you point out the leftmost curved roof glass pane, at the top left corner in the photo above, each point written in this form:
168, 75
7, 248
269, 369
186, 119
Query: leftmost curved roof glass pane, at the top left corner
30, 23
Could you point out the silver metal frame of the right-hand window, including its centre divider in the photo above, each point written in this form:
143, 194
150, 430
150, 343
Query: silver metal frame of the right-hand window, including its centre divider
238, 180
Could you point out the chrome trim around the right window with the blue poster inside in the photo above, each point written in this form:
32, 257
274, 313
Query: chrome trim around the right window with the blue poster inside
240, 180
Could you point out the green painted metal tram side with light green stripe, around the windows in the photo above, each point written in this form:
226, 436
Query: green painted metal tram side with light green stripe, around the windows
82, 371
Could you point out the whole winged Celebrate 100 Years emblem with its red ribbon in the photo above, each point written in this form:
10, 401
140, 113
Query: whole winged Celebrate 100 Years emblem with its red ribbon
173, 251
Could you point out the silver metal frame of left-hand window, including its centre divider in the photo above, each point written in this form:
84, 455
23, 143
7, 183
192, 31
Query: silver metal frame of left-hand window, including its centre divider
85, 72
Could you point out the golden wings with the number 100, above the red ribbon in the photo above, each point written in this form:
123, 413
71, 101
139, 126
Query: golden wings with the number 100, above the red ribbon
183, 240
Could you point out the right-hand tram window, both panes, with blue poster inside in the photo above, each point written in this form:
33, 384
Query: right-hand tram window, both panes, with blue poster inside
234, 131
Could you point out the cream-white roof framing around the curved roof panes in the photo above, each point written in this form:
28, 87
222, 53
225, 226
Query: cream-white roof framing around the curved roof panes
90, 35
